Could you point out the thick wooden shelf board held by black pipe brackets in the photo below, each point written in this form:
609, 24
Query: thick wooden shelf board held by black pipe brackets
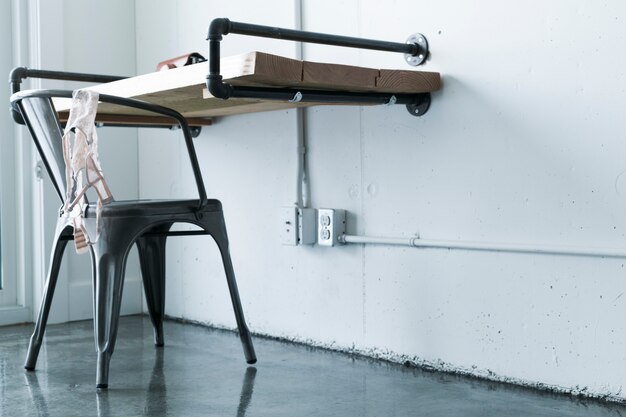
184, 89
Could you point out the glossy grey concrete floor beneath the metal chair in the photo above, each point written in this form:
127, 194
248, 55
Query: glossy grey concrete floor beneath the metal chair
202, 372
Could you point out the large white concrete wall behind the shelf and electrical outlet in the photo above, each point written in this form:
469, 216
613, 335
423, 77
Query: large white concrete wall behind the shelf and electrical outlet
524, 143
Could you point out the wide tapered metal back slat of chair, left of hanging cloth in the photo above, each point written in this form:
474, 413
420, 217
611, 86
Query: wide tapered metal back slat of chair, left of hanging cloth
43, 124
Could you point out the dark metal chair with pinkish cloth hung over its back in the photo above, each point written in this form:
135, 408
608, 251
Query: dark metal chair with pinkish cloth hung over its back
123, 223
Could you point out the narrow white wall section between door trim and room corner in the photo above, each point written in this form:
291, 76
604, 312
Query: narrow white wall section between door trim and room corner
99, 39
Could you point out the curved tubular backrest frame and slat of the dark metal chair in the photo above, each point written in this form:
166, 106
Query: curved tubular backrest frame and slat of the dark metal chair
40, 116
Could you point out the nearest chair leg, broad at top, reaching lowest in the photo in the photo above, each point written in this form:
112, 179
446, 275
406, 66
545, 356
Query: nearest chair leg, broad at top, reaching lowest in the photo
109, 278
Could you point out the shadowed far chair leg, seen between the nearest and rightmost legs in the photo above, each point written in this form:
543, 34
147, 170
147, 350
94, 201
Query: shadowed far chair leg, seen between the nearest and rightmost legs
152, 260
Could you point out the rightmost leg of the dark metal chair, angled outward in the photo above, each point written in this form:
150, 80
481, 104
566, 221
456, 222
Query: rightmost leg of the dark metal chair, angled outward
221, 238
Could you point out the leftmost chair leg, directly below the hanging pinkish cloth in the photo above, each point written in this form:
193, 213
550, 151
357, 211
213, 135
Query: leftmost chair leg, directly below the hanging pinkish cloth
46, 300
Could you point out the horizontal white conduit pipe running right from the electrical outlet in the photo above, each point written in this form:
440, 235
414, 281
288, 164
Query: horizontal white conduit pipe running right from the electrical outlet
416, 242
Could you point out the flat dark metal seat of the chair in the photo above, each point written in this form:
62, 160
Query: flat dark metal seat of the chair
130, 208
